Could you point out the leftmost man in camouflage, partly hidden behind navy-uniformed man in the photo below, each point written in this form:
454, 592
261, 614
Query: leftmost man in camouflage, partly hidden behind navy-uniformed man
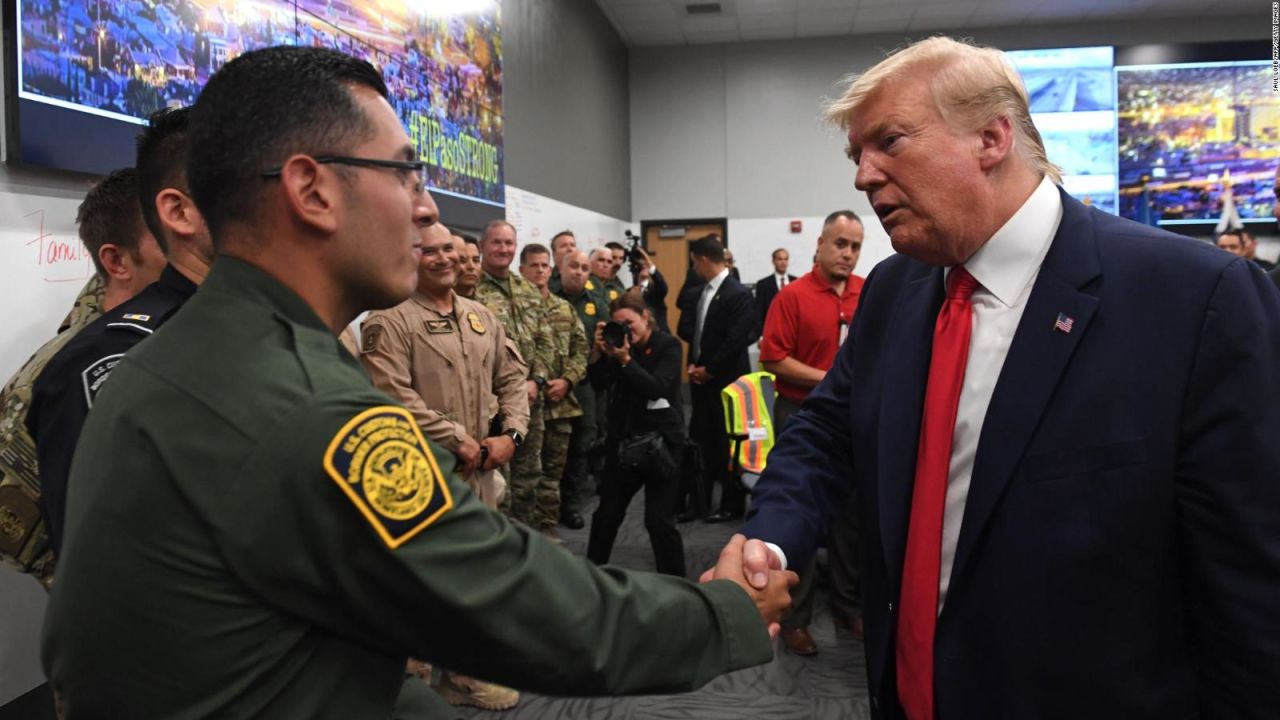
125, 252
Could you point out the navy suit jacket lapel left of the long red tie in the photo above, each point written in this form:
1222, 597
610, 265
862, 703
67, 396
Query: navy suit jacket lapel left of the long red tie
906, 379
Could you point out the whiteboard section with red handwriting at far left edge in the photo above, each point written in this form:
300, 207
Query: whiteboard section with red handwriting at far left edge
43, 263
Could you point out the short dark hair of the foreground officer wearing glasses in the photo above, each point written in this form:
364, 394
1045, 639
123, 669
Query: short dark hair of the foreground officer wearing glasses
264, 107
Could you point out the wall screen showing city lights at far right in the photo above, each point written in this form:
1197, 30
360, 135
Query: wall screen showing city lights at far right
1187, 131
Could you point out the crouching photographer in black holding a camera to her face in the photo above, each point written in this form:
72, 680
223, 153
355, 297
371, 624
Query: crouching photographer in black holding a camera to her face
647, 431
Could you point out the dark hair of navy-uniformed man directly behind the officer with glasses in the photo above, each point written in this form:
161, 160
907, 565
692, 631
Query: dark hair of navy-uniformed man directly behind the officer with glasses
162, 162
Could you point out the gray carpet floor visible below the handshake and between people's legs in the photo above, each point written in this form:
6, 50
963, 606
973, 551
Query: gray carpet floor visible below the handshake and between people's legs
829, 686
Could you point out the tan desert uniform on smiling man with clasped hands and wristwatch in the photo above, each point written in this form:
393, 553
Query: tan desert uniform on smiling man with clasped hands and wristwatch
452, 371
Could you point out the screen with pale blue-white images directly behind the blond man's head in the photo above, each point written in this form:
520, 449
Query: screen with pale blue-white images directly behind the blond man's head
1072, 97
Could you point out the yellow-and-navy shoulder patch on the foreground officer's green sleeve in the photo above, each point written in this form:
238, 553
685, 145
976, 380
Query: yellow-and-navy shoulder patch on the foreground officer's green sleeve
383, 464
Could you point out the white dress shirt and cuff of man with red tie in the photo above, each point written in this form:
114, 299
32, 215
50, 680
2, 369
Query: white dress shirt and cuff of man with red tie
1005, 268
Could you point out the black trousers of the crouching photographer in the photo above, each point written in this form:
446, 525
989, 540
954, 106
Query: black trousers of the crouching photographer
661, 493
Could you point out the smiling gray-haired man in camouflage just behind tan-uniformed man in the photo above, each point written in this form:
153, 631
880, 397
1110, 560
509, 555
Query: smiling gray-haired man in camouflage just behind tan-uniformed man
519, 307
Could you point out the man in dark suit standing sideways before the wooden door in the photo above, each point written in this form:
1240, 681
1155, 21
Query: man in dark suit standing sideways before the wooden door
719, 331
